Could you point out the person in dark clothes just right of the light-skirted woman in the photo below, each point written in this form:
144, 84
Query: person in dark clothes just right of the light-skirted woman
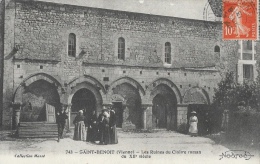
92, 134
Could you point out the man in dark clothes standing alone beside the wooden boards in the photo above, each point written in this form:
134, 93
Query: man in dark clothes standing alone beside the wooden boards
61, 120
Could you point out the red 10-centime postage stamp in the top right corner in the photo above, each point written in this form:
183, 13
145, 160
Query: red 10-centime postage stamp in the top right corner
240, 19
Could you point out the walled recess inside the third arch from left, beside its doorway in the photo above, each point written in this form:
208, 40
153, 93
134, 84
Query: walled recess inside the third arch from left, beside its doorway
130, 109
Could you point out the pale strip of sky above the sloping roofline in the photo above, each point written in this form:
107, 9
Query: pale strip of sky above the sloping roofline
191, 9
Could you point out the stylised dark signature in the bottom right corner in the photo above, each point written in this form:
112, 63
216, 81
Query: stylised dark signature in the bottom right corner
236, 154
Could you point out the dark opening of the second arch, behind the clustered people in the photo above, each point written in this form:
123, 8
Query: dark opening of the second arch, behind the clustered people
84, 100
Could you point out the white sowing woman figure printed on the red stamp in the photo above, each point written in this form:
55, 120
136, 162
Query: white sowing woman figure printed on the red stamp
236, 15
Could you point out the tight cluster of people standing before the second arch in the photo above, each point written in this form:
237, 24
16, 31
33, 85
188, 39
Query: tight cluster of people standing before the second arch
101, 128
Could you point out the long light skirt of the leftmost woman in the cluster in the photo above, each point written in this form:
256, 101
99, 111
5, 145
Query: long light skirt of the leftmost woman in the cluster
80, 131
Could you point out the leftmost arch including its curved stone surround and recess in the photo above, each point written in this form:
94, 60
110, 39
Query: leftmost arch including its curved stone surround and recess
34, 94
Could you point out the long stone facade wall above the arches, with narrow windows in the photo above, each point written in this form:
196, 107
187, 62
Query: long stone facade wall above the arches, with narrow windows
40, 33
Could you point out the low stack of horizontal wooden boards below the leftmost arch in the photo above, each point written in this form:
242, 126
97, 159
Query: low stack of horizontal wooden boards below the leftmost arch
37, 130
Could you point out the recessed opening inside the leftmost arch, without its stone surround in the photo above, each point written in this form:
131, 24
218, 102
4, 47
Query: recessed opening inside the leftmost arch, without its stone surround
34, 99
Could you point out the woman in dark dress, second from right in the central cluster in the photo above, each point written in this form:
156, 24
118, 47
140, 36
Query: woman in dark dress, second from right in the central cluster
105, 130
